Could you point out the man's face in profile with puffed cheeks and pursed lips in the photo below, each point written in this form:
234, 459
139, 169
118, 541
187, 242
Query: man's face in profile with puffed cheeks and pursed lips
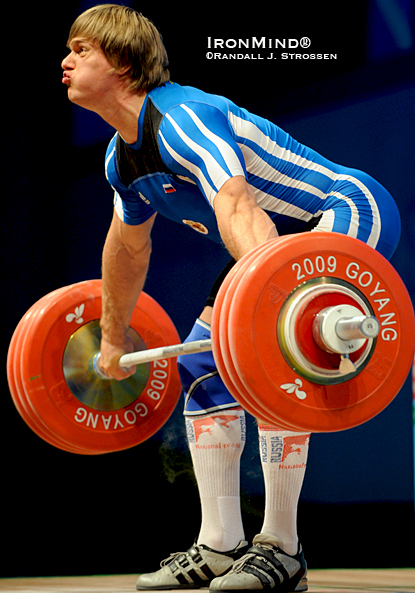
88, 74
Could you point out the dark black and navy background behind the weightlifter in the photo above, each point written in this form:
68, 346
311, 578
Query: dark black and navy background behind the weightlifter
65, 514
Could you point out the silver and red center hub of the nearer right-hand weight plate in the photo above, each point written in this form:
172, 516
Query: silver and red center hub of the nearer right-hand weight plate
306, 331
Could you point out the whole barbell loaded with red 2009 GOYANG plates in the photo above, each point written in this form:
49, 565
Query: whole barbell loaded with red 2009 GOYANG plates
310, 332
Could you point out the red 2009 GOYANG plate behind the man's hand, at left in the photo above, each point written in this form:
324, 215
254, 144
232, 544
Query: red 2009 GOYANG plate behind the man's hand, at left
85, 425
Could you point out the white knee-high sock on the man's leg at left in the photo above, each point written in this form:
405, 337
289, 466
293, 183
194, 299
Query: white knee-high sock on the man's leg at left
216, 442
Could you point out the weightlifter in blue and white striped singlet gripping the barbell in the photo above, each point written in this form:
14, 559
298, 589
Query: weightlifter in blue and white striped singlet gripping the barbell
240, 180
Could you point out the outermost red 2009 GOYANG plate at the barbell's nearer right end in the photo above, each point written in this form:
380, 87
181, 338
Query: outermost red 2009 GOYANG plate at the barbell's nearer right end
258, 358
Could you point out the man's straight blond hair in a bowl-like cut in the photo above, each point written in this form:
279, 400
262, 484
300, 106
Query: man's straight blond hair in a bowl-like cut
130, 42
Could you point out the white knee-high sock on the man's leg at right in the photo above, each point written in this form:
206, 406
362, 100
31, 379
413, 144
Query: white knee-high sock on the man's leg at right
283, 459
